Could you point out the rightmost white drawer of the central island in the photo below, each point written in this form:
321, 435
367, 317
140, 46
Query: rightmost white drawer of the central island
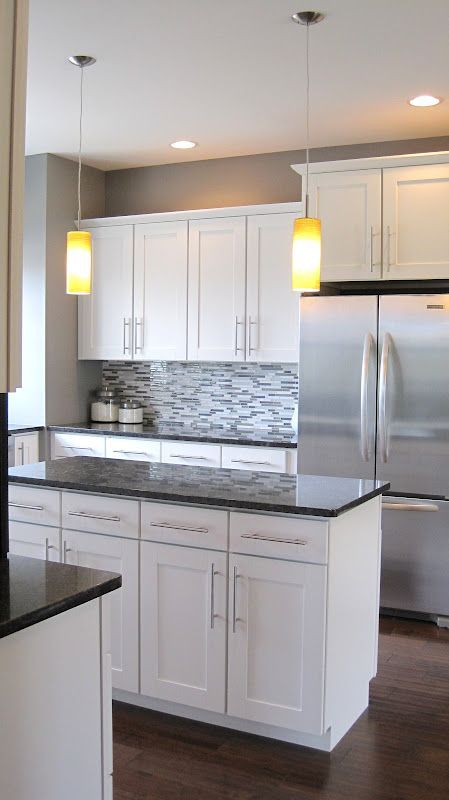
279, 537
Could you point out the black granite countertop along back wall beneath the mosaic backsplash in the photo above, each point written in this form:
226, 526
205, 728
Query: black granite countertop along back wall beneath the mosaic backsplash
254, 438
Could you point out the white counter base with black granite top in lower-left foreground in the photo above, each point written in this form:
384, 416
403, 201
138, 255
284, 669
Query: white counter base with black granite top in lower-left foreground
55, 696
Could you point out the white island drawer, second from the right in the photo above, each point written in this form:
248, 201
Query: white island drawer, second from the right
195, 527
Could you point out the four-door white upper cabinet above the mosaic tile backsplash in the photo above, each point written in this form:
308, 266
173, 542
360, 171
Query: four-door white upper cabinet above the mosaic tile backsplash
206, 289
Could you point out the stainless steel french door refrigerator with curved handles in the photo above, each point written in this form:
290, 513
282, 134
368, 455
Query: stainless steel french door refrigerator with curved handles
374, 403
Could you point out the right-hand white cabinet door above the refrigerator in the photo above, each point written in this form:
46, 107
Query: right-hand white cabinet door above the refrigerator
416, 222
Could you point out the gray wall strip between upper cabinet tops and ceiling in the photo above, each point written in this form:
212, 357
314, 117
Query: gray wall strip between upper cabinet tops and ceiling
265, 178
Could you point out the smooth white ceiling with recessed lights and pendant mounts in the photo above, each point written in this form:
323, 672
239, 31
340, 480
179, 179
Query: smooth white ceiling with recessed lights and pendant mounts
229, 74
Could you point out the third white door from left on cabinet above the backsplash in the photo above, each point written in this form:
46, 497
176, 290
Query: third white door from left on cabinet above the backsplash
216, 330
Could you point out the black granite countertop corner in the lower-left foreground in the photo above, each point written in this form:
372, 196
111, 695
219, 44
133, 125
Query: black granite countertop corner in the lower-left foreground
32, 590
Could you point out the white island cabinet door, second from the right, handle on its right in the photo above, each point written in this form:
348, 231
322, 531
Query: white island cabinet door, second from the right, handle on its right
183, 625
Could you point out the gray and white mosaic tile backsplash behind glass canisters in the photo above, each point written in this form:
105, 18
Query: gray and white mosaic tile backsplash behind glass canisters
235, 397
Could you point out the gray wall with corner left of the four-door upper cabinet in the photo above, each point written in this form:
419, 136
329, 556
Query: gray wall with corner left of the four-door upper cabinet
55, 385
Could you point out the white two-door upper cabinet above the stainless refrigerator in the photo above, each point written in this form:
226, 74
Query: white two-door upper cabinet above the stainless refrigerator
383, 218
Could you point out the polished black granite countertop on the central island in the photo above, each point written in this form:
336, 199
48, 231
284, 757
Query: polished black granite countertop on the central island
309, 495
